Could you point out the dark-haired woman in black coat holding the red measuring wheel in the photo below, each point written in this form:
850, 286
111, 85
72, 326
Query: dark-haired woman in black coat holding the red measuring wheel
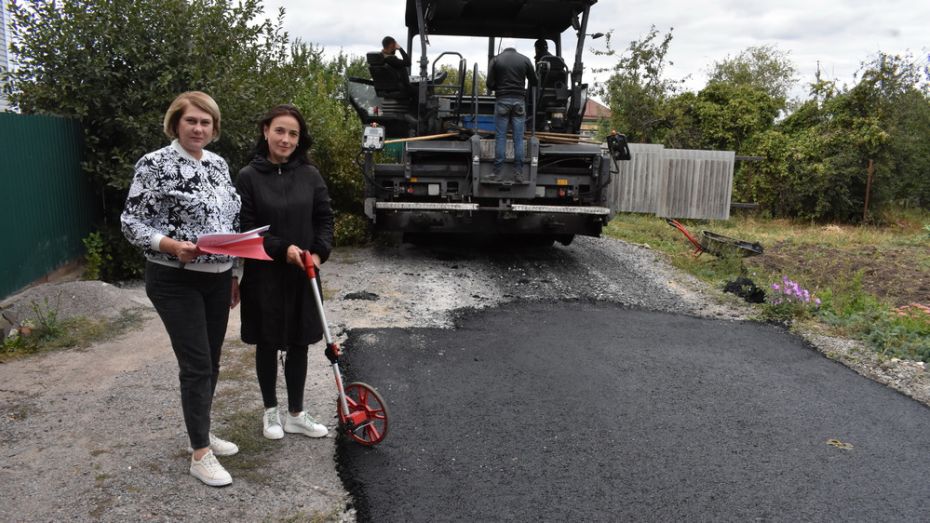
282, 189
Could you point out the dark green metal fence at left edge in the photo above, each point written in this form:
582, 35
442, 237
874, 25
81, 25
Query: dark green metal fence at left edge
46, 202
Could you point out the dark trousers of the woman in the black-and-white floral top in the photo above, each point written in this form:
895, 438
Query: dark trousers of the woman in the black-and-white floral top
194, 306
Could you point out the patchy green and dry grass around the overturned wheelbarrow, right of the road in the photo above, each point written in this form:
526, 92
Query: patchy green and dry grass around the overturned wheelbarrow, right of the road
866, 276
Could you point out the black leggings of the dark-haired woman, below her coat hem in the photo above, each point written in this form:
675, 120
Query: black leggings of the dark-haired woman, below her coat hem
295, 374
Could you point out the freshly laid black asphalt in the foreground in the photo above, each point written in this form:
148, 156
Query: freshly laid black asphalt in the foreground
578, 411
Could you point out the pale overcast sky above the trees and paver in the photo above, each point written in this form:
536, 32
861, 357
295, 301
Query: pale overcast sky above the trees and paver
837, 34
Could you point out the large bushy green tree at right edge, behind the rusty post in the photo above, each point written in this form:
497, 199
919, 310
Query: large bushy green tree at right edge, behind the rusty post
817, 158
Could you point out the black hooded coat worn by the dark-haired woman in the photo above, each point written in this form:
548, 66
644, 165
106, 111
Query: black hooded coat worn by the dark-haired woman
277, 302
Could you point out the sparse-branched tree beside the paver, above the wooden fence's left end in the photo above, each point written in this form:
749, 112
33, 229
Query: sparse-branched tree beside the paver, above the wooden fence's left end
637, 92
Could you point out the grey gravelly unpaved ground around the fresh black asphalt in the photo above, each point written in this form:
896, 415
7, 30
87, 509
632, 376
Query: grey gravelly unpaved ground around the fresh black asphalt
97, 434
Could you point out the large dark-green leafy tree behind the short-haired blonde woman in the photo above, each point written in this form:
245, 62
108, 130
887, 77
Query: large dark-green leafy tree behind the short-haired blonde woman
115, 65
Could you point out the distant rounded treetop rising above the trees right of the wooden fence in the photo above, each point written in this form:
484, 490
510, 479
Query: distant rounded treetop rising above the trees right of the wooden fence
762, 67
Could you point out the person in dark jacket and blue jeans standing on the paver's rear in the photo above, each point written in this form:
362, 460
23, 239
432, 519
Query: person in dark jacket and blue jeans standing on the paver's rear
508, 74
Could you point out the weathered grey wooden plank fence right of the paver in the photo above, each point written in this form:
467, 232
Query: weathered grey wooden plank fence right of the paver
674, 183
